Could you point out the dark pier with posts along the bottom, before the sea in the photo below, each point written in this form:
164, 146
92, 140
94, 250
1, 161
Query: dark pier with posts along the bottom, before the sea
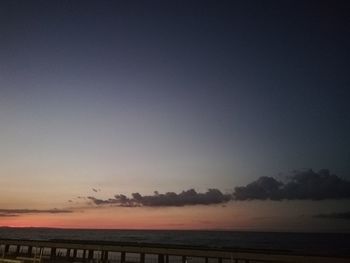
36, 251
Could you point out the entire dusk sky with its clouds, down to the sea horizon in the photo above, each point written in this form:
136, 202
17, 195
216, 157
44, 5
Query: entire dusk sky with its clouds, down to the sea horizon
175, 115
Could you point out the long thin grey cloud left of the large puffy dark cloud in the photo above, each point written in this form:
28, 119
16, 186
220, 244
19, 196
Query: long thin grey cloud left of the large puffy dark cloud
188, 197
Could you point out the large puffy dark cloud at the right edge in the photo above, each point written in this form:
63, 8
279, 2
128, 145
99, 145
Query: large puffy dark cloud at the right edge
302, 185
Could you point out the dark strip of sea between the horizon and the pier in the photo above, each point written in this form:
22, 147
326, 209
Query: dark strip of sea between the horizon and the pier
306, 243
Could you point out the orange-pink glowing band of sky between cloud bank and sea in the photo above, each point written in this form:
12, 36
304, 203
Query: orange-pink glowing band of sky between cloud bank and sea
251, 216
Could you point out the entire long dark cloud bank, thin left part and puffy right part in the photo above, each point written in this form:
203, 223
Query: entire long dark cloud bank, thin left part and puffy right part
304, 185
